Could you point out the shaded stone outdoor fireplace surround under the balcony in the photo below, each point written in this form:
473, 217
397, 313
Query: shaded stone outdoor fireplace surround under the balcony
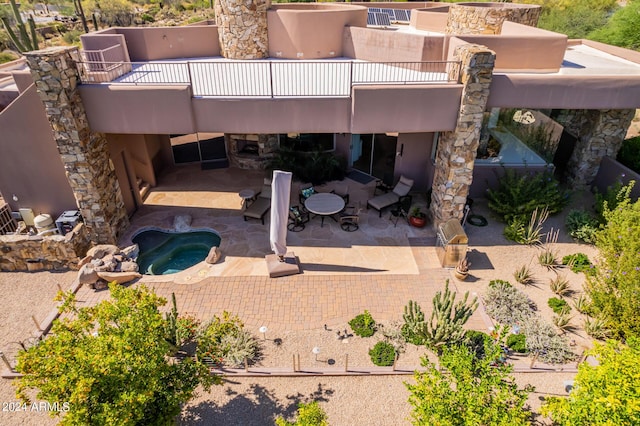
267, 146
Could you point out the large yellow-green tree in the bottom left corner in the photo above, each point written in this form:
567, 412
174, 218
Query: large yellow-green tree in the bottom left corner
111, 363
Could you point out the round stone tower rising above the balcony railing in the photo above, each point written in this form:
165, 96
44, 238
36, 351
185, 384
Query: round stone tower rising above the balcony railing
242, 27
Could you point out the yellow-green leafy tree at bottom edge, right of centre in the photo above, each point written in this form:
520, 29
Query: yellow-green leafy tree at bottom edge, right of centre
474, 391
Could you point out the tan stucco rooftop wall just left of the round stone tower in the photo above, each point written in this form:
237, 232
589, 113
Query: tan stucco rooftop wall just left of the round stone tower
152, 43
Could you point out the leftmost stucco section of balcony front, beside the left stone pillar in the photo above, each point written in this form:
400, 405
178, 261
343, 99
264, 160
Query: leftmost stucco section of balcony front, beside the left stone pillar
138, 109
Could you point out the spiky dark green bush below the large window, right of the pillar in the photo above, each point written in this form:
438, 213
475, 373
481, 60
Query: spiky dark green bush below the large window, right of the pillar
519, 194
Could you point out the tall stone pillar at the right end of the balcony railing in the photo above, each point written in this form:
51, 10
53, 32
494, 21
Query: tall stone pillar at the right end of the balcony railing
457, 149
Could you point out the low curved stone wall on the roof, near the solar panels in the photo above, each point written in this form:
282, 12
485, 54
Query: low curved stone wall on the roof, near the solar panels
463, 19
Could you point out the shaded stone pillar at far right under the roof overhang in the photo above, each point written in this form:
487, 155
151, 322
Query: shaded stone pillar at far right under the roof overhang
606, 131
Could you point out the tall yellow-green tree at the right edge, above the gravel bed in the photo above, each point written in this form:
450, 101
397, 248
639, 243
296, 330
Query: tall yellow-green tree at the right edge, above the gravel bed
615, 286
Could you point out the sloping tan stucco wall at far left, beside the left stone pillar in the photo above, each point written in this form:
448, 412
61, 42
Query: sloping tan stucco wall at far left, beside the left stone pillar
30, 166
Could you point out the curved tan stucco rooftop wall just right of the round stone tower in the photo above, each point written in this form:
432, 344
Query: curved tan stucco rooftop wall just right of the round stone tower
310, 31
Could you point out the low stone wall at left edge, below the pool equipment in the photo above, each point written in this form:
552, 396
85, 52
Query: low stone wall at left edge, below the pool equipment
33, 253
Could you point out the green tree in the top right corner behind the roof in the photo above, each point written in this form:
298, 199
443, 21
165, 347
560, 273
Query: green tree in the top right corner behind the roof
622, 29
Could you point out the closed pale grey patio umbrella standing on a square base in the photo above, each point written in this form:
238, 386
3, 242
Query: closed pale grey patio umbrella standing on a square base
280, 195
